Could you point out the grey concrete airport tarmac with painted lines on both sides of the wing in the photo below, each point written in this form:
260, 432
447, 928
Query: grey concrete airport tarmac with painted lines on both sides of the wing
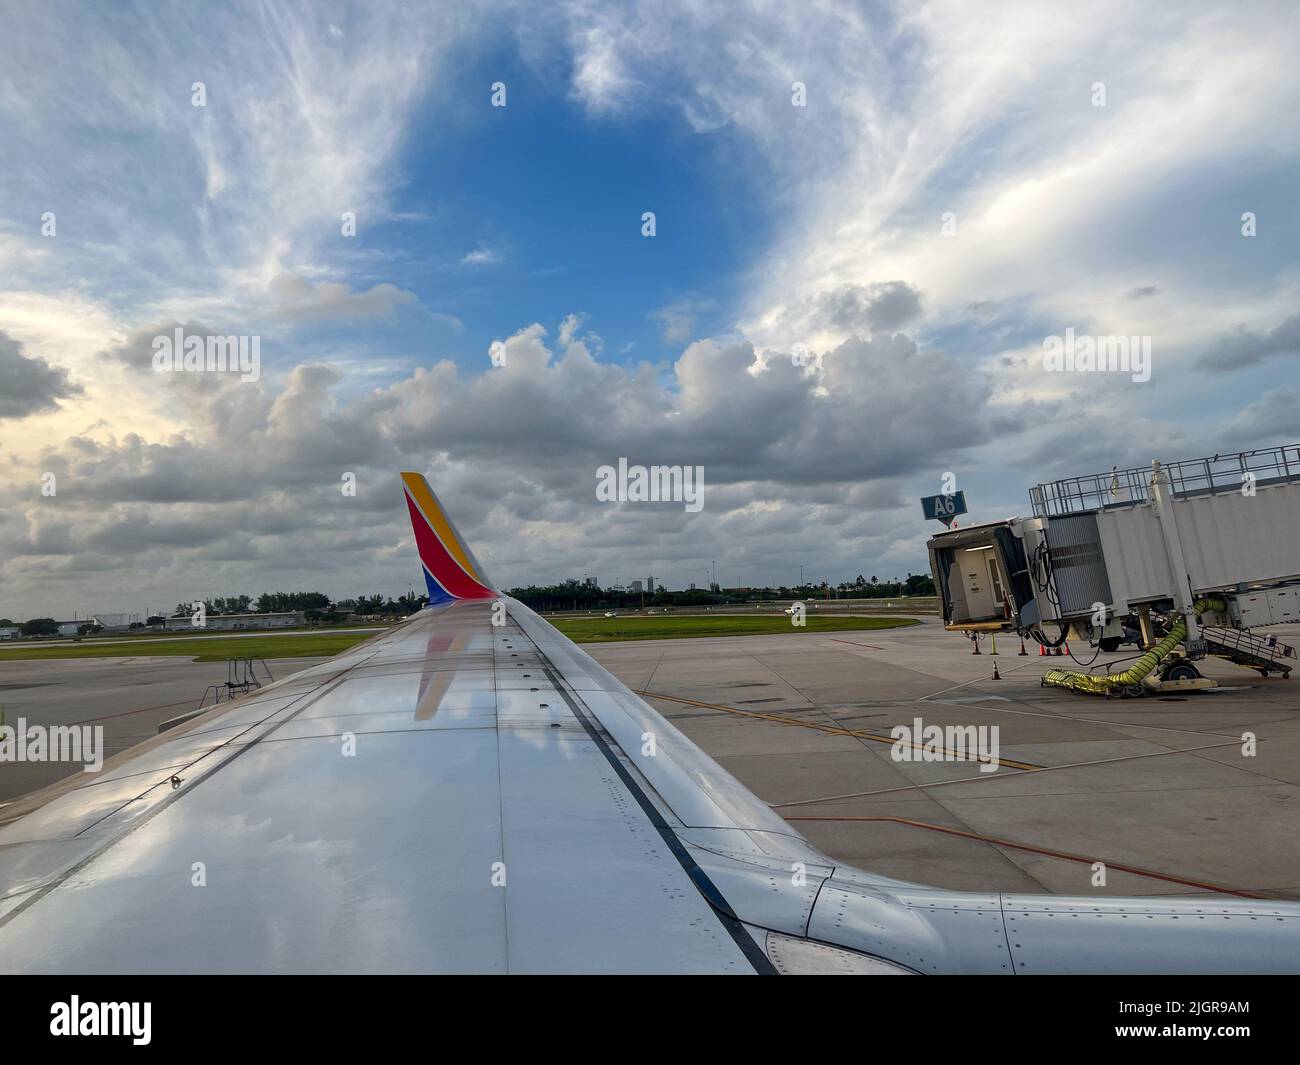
1158, 789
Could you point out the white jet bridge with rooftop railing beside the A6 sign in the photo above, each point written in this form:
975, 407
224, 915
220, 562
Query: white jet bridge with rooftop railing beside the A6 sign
1134, 552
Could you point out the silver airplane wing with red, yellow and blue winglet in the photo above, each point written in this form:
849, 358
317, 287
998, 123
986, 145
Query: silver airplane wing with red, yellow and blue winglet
471, 793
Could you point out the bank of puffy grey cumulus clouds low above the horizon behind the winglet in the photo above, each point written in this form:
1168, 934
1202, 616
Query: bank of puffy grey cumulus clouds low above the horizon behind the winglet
514, 453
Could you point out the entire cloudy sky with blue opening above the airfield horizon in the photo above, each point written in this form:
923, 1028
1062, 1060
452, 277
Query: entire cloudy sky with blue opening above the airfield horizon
869, 222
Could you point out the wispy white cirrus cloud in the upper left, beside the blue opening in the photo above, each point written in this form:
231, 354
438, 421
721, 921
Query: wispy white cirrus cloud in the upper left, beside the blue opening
297, 129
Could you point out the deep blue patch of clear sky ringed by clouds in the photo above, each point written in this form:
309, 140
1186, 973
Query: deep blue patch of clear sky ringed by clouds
553, 200
